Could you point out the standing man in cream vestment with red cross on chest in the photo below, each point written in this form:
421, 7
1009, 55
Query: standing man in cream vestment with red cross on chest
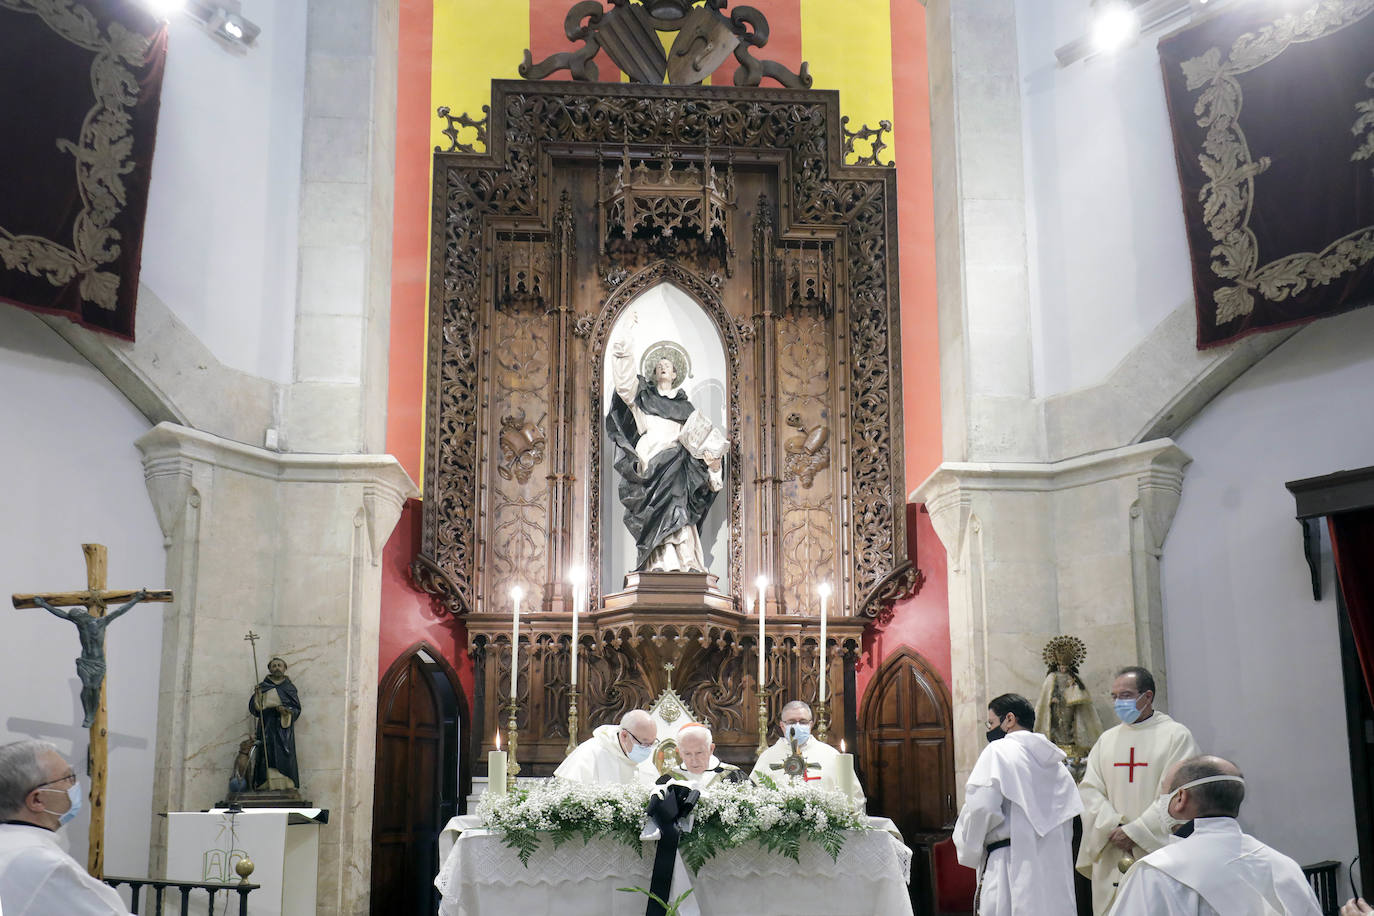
1123, 812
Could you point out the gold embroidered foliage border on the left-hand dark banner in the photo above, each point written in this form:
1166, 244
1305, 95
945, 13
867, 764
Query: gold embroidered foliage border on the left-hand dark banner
104, 156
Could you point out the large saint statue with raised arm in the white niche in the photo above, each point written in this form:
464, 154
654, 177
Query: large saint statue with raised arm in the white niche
670, 458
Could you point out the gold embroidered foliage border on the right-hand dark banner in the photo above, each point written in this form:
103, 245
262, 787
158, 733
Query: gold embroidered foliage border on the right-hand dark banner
1229, 196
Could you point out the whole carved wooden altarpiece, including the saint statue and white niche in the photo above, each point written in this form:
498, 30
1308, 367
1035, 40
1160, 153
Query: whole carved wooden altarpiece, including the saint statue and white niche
664, 351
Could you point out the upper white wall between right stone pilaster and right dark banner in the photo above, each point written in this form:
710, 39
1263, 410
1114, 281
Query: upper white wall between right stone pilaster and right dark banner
1105, 218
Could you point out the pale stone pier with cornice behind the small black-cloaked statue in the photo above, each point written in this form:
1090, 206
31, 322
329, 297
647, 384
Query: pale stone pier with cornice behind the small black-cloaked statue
291, 547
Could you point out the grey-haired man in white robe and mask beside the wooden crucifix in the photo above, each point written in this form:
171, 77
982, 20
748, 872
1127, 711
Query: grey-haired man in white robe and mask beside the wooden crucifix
39, 794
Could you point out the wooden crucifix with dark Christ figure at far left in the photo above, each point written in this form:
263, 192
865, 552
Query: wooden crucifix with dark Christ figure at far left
89, 615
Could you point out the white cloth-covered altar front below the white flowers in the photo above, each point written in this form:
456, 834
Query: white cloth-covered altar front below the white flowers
483, 877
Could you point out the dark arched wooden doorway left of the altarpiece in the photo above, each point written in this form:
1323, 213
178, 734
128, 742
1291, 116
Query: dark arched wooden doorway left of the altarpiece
418, 782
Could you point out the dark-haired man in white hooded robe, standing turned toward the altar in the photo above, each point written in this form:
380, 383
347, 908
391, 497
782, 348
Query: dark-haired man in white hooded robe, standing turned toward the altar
1016, 829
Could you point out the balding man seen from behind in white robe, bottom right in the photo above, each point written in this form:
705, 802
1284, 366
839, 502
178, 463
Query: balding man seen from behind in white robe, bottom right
1218, 871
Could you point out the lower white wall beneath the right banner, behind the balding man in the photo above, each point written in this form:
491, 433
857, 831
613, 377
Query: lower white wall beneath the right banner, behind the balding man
1254, 661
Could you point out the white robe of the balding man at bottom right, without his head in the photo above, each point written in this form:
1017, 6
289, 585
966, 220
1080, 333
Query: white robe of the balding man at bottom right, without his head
1218, 871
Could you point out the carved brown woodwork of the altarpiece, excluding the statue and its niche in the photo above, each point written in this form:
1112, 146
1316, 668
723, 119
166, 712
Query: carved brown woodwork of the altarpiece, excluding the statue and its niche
523, 304
